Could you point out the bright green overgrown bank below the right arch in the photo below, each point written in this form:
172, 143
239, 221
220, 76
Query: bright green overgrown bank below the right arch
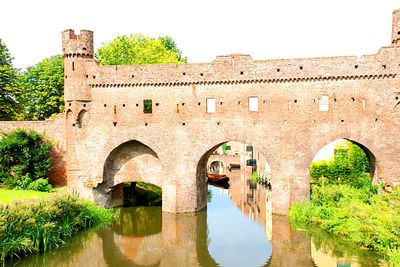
361, 216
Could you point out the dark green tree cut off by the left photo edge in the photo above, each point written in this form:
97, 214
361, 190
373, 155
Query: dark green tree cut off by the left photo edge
8, 85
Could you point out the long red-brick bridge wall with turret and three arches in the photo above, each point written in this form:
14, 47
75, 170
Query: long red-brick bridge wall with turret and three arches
160, 123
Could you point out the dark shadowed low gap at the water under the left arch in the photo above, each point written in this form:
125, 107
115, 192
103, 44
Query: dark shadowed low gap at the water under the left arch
142, 194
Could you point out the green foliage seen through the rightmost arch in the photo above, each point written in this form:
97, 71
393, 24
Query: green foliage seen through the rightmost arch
349, 166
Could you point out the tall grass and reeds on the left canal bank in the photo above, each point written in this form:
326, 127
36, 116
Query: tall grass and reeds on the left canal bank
32, 226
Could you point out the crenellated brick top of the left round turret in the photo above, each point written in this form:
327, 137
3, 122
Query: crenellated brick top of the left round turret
77, 45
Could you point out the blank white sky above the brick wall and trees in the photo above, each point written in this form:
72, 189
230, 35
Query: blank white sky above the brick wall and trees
265, 29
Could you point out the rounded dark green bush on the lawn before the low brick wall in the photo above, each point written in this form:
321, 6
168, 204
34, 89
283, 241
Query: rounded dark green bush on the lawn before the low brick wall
25, 161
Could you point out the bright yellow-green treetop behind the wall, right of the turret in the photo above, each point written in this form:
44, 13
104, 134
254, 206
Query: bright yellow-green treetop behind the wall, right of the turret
139, 49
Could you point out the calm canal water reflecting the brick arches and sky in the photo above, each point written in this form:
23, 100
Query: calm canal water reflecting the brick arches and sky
236, 229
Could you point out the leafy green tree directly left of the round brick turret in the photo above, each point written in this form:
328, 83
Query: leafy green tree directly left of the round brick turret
43, 94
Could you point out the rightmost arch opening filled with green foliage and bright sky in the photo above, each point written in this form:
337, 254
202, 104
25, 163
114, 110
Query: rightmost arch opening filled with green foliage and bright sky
343, 161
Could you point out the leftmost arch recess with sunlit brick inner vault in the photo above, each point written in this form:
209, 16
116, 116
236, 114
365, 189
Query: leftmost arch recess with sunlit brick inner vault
128, 165
